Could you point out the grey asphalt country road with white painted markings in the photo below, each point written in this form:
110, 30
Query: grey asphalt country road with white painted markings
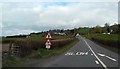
84, 54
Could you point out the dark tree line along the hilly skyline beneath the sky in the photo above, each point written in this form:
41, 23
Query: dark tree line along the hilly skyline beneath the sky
114, 29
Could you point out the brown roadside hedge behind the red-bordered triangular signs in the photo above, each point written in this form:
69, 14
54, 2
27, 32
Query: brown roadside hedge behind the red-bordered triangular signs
27, 46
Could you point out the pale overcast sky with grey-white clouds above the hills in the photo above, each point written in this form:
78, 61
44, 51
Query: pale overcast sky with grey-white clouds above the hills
25, 17
